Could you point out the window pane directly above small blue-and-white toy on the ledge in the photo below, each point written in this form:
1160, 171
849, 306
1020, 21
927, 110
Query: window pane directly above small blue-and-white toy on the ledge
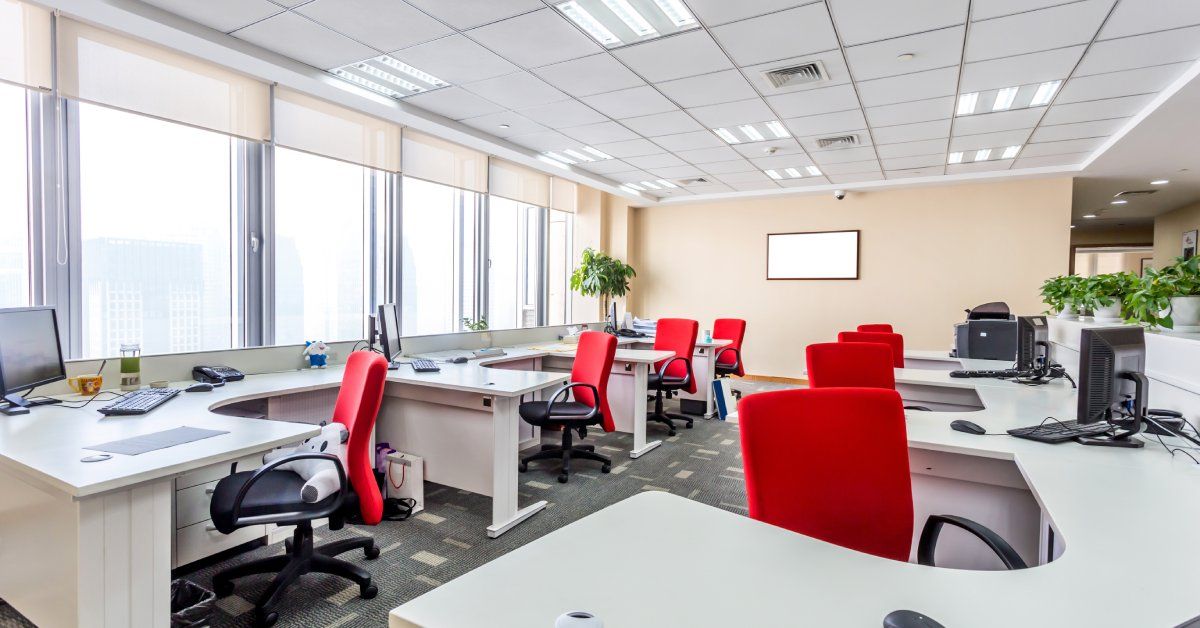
320, 248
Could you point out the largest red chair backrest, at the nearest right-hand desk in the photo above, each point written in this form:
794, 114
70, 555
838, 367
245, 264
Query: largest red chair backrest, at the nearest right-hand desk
854, 491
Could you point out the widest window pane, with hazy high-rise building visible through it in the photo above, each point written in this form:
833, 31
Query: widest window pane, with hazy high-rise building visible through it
157, 228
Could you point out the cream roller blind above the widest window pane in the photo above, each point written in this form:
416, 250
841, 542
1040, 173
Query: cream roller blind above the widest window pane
107, 69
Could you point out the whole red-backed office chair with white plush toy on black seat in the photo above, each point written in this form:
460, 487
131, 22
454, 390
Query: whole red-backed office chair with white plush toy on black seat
269, 497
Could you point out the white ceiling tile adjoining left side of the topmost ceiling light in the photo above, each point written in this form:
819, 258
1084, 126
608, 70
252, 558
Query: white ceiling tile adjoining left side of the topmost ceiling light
537, 39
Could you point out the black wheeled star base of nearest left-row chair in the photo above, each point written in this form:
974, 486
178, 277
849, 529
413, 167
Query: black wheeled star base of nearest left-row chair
301, 559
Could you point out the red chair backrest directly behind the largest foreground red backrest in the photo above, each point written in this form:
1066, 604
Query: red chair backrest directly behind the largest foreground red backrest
851, 366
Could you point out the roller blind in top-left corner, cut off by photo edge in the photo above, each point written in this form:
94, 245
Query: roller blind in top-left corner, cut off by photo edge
26, 45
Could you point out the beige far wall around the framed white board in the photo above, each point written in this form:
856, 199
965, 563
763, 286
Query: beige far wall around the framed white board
927, 255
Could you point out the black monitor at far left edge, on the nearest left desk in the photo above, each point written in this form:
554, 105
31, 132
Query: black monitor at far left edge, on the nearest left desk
31, 355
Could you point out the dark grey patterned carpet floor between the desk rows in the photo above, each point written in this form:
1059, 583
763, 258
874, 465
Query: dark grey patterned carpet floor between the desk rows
448, 540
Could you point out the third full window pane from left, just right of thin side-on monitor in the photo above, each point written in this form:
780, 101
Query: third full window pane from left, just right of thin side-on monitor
437, 258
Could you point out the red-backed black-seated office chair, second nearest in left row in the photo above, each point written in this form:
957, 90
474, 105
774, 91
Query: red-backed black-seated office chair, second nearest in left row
590, 386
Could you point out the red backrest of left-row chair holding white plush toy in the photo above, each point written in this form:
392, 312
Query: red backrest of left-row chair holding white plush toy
358, 405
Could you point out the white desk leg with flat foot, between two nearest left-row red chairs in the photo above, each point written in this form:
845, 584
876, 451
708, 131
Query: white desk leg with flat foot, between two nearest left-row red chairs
506, 513
